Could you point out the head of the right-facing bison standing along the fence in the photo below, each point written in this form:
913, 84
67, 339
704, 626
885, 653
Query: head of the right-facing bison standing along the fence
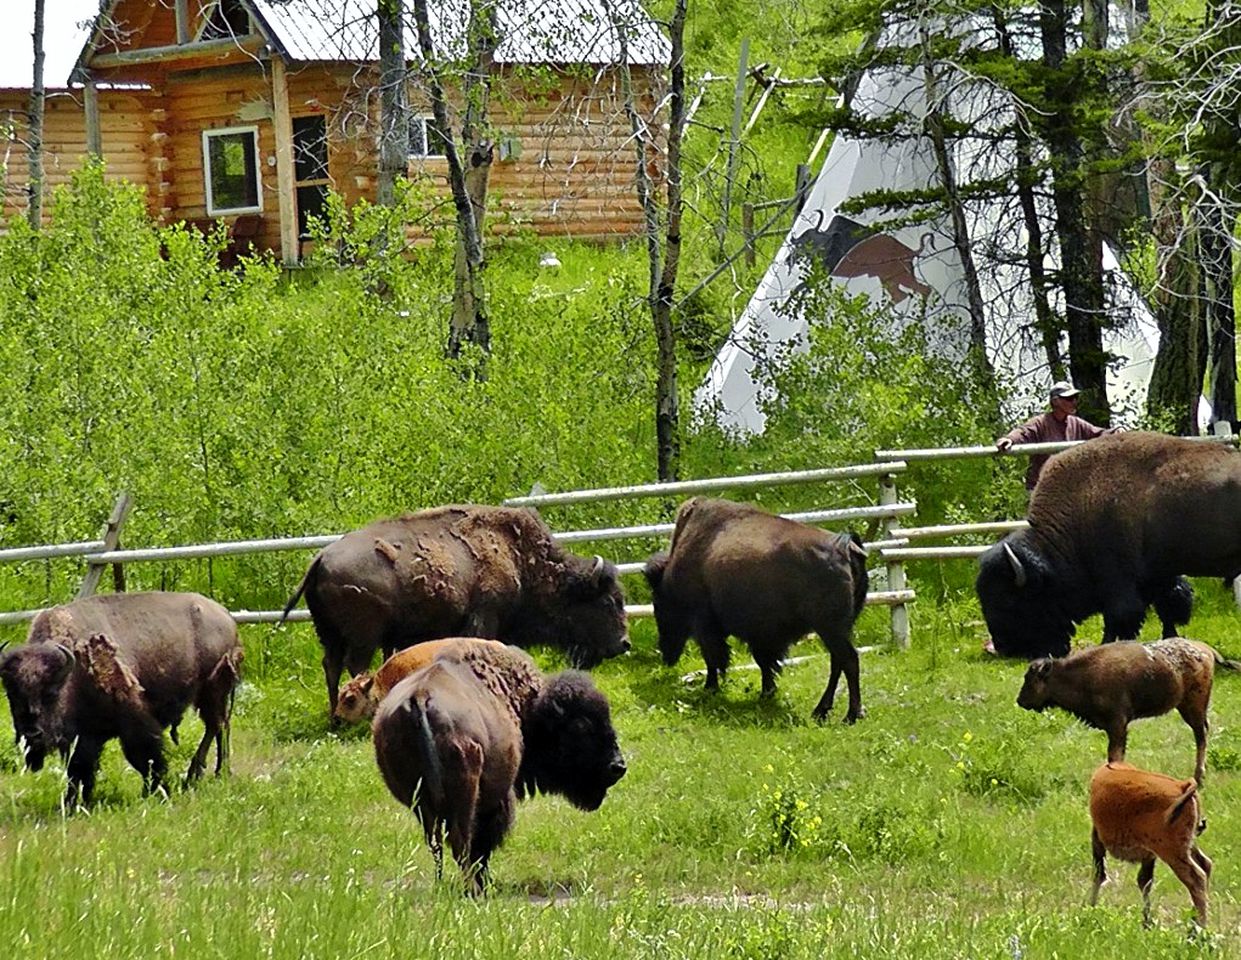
590, 623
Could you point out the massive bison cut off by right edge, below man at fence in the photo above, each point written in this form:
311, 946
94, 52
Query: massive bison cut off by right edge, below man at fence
1114, 525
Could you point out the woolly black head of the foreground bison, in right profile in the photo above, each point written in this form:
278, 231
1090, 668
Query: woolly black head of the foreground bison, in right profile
570, 744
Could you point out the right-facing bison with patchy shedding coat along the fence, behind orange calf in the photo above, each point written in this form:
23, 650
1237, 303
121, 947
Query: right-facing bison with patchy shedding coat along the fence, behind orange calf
459, 571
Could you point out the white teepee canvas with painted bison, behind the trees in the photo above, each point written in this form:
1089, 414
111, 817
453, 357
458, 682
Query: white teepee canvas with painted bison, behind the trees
914, 270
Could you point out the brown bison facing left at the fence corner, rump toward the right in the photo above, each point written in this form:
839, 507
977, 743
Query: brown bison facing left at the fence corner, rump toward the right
735, 570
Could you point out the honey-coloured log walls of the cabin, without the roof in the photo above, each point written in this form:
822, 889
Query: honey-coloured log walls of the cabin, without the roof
567, 167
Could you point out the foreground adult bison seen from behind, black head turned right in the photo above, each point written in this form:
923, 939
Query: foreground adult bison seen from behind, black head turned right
460, 742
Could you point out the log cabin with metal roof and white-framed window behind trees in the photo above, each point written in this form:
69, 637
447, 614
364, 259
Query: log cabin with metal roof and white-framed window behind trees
250, 111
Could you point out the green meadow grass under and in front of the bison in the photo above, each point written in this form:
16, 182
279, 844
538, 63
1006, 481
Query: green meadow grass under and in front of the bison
948, 824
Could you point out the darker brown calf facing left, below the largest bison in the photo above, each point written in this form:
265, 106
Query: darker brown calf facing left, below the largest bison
1113, 685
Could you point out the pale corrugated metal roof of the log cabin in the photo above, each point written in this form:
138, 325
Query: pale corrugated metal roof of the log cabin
533, 32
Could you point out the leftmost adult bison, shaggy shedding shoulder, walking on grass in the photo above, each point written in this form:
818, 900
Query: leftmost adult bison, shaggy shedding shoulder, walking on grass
123, 665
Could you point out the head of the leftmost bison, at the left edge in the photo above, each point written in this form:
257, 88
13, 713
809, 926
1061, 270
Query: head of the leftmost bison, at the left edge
34, 678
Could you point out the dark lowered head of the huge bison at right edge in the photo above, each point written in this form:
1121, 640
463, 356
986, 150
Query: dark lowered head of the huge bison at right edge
1023, 601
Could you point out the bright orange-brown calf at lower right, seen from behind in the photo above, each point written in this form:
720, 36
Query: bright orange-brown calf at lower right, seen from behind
1140, 816
